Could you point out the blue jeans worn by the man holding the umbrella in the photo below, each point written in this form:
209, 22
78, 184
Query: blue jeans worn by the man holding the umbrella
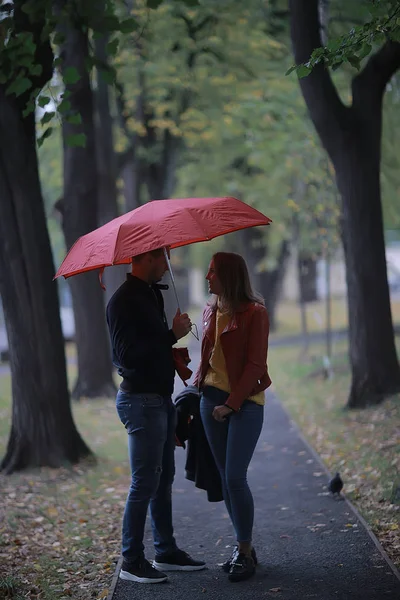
150, 421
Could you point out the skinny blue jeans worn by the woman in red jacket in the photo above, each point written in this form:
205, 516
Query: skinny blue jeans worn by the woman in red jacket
232, 443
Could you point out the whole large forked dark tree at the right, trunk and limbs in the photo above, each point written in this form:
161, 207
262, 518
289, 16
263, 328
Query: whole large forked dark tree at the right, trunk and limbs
352, 138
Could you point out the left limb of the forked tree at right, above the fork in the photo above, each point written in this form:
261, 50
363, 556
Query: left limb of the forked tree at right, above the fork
323, 102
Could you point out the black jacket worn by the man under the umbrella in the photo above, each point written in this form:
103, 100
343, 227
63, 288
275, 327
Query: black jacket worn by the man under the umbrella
140, 337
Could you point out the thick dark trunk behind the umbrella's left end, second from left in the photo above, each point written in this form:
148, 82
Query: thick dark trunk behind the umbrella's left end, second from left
79, 217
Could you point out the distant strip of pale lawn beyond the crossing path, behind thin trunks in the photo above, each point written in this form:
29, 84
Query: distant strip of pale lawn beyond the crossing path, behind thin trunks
289, 323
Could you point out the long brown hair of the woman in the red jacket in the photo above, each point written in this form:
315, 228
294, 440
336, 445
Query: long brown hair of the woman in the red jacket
232, 272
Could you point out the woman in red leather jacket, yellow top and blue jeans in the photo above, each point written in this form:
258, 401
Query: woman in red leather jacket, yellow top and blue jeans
232, 377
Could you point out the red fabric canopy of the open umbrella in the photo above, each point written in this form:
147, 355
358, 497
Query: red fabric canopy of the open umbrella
158, 224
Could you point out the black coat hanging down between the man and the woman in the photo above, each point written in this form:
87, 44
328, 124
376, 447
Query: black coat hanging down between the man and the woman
200, 465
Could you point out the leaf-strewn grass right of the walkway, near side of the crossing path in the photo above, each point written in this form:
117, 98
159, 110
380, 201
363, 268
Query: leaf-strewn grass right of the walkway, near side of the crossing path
364, 445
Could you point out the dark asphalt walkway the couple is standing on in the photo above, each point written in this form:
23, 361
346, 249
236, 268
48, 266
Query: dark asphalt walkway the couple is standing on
309, 545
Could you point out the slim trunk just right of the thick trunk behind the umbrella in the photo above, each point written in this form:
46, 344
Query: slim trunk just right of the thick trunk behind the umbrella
107, 206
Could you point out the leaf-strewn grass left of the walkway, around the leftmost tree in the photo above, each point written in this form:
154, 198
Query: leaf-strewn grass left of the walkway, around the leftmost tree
60, 528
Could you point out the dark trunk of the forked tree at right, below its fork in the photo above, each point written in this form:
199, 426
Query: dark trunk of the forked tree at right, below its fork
375, 368
